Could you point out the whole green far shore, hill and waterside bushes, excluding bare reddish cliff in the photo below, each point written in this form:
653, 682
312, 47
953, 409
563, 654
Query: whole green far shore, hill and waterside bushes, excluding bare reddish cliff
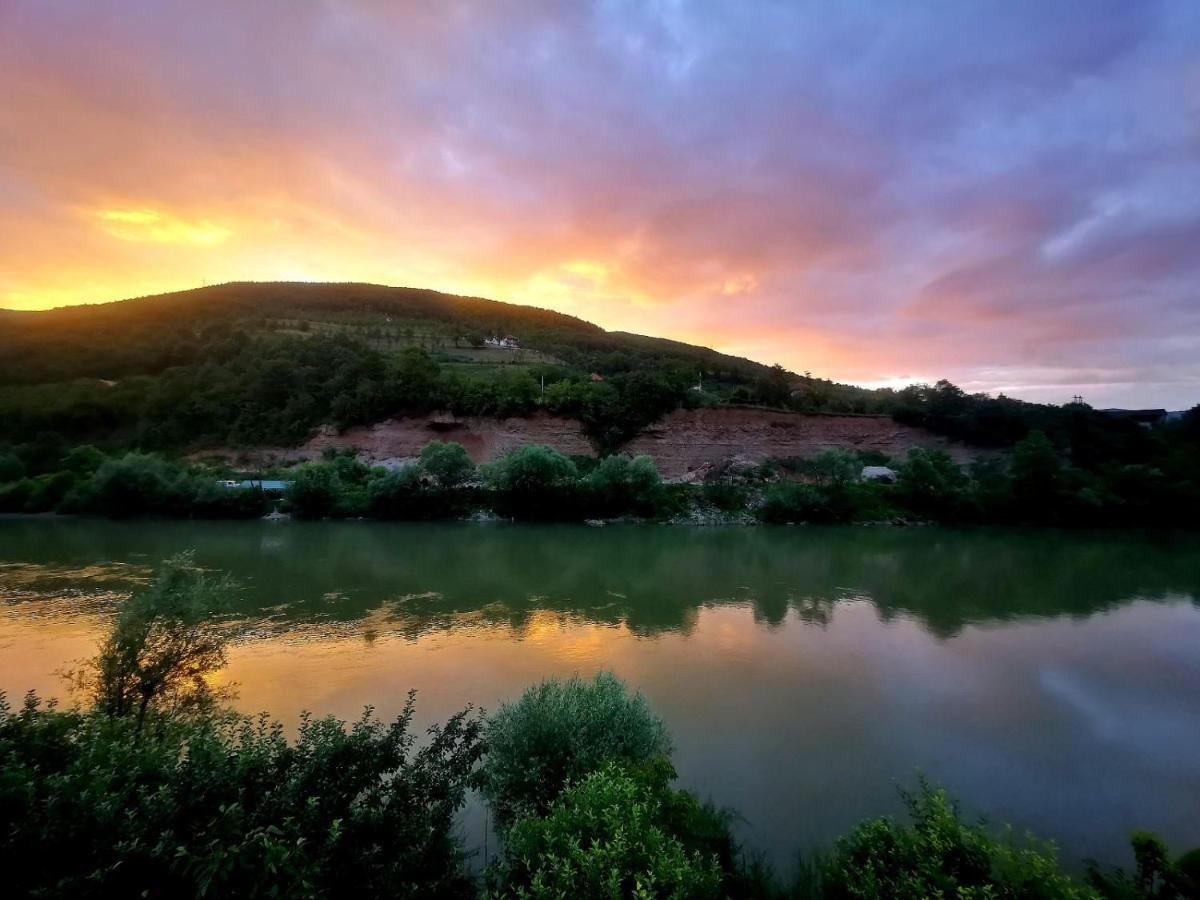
253, 365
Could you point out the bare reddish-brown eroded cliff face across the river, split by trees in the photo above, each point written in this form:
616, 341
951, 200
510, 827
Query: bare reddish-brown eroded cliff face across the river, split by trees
683, 446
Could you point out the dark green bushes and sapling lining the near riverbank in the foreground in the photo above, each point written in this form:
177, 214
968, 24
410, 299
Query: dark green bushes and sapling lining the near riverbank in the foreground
152, 787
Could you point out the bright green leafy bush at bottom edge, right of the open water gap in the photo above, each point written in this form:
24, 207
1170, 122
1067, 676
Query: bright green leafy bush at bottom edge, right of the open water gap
938, 855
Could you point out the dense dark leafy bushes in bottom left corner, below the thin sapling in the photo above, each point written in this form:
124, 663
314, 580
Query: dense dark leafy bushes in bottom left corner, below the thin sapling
231, 808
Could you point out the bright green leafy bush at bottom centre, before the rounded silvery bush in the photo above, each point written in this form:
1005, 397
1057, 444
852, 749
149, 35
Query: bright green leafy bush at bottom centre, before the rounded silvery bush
604, 839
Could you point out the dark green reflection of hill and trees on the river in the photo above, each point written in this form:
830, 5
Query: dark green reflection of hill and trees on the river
416, 579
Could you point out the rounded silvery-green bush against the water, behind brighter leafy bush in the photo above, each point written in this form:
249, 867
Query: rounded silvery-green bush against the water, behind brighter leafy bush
560, 733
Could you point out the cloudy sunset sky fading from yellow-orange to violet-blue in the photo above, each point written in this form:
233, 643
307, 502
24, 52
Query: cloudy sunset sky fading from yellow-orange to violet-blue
1006, 195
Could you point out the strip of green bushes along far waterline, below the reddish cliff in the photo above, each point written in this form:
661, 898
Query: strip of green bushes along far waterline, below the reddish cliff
1033, 484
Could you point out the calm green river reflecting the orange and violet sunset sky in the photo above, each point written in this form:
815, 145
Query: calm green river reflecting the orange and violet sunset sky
1049, 680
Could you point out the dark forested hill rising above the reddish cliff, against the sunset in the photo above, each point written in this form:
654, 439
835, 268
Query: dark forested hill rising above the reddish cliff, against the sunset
267, 363
